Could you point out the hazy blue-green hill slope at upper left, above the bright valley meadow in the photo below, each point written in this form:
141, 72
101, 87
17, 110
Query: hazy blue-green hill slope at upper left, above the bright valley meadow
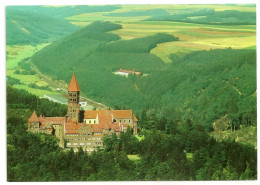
32, 28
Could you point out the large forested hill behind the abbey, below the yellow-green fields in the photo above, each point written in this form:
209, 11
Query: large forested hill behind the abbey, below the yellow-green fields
203, 85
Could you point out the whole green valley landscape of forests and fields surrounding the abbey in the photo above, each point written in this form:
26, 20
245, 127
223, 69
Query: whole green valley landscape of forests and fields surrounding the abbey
198, 91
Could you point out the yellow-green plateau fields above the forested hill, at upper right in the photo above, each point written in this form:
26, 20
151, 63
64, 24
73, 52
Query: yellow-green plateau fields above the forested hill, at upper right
192, 36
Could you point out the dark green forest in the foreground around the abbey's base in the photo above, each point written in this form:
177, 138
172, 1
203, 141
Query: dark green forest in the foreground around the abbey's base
170, 150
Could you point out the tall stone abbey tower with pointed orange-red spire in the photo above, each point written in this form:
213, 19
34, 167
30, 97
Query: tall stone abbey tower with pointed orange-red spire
73, 100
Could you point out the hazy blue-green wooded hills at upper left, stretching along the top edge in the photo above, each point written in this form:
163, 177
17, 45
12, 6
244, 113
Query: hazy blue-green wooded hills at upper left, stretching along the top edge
38, 24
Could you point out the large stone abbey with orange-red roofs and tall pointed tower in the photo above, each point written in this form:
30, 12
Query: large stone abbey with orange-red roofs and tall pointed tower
83, 128
